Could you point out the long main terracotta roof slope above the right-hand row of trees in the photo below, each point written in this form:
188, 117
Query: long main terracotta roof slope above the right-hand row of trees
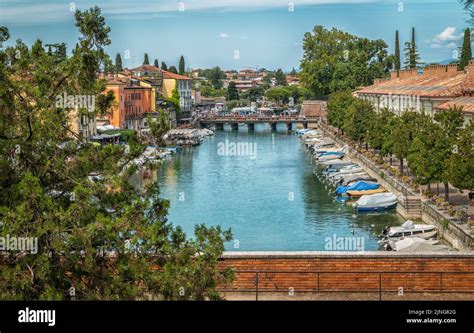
422, 85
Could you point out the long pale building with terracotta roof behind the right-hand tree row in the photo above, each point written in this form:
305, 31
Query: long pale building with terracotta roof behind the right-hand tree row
433, 89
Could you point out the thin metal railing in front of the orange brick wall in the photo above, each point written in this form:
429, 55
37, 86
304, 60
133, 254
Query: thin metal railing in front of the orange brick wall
439, 286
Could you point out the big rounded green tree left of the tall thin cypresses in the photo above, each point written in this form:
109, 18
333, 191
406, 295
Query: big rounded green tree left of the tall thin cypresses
334, 60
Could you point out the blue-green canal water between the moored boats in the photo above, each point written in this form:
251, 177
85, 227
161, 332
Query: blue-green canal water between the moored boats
261, 185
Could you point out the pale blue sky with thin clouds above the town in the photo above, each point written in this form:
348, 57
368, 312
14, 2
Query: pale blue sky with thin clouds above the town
236, 34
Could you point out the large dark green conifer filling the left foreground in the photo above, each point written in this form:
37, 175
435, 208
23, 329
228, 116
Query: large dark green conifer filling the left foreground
104, 238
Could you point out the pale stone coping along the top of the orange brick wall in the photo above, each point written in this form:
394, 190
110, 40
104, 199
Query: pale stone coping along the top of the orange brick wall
340, 254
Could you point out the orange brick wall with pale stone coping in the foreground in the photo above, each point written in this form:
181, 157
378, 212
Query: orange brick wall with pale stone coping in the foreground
319, 271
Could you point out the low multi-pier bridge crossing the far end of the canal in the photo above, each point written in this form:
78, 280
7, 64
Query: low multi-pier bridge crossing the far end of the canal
250, 121
